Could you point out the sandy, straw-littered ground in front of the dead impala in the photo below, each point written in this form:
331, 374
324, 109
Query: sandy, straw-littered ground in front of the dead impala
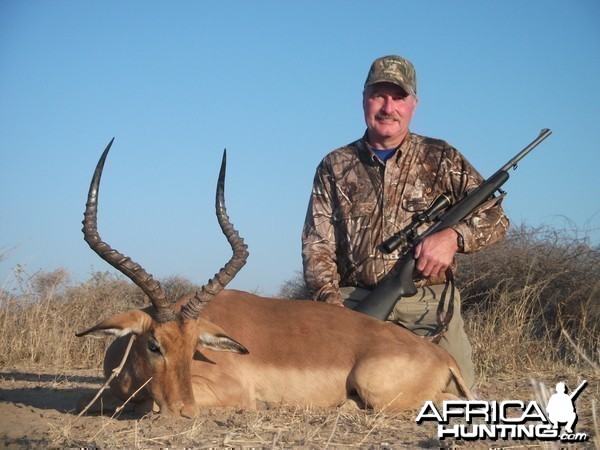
37, 411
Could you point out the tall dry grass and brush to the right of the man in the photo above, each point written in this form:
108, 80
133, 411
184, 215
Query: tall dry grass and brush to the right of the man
523, 294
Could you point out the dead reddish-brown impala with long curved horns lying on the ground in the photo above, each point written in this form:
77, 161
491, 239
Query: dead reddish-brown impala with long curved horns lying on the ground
230, 348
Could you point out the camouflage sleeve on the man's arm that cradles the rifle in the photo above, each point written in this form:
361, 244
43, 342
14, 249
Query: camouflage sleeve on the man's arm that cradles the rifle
487, 224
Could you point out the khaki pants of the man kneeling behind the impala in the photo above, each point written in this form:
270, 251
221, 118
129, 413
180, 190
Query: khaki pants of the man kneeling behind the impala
419, 314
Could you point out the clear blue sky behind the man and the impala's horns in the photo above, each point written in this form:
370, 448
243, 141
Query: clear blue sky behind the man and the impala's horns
279, 85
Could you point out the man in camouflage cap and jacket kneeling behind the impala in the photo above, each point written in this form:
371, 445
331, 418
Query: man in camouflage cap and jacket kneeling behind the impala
366, 191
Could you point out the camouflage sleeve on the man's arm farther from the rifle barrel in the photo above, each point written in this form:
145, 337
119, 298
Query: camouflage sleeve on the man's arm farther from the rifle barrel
319, 243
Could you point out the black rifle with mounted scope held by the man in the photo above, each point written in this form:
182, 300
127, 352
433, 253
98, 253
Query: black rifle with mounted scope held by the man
380, 302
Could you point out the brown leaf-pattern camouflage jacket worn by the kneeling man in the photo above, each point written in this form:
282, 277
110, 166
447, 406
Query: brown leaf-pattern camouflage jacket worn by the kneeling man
357, 202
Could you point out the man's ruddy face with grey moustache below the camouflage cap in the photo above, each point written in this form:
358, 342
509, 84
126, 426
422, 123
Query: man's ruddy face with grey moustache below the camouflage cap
388, 111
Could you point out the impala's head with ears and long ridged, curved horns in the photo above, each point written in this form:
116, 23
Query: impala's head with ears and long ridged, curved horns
168, 335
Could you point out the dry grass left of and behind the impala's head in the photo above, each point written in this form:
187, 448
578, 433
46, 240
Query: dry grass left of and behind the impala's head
39, 319
